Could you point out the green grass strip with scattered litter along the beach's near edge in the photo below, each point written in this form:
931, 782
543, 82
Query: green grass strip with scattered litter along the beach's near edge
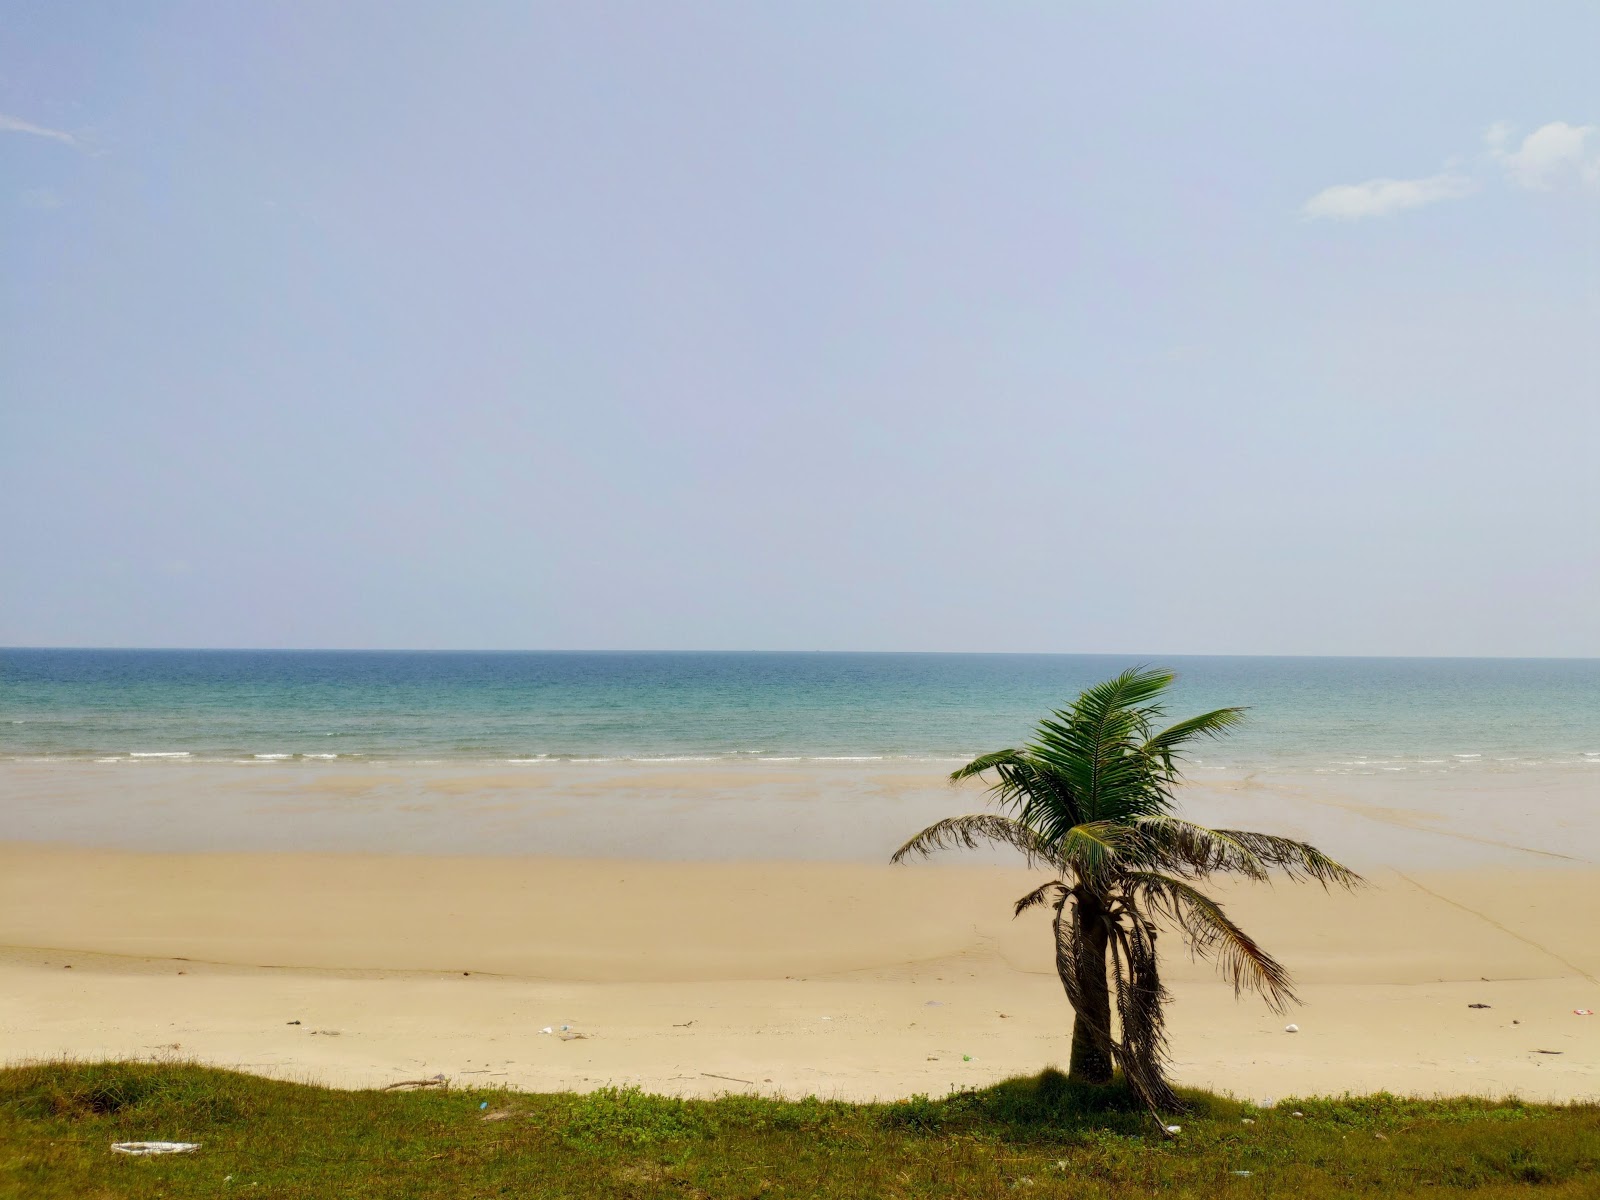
1039, 1137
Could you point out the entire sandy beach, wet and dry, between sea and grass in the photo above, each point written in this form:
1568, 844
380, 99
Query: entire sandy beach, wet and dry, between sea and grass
796, 972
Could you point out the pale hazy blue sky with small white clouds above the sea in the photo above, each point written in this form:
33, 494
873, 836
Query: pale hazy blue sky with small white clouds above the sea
1009, 327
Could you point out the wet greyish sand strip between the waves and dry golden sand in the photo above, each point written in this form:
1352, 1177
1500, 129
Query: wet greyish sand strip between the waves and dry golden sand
838, 812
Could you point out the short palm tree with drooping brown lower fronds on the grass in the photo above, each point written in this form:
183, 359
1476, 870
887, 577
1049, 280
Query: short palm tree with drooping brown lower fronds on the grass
1092, 801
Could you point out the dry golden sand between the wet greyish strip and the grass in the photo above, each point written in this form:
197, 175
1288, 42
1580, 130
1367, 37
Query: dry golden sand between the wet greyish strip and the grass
807, 977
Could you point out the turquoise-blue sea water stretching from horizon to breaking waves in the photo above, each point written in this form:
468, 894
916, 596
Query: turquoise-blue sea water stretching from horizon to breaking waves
252, 706
